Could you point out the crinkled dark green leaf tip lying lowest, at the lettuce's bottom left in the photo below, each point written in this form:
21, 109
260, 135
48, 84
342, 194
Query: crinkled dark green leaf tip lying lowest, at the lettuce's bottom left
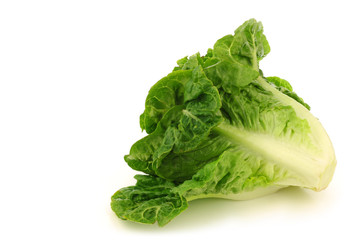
150, 201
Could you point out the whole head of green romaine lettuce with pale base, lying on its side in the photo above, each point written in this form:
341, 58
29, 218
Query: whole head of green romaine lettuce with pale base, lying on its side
218, 128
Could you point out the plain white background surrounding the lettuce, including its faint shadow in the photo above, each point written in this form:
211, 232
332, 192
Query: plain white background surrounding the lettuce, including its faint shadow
73, 79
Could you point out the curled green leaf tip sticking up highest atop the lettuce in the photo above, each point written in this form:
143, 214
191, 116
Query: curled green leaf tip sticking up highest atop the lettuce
239, 56
